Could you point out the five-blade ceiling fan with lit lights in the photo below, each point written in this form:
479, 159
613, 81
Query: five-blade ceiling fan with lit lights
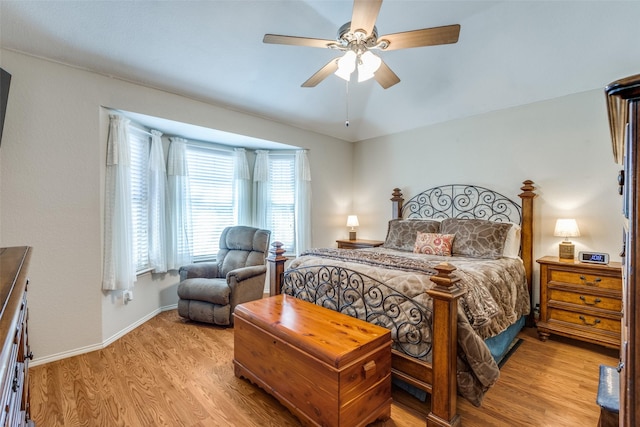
358, 38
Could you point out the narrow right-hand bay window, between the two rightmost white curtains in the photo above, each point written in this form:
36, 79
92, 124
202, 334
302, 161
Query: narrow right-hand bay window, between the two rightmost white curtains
281, 218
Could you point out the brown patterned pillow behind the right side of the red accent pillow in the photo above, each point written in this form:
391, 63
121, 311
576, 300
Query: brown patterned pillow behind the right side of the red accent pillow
476, 238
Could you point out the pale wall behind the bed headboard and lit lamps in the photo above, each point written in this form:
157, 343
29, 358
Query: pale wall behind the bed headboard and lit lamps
563, 145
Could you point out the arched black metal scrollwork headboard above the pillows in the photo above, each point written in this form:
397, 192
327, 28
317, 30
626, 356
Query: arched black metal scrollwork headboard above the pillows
461, 201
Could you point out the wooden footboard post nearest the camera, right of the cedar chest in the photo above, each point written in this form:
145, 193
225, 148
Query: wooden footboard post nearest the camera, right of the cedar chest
444, 351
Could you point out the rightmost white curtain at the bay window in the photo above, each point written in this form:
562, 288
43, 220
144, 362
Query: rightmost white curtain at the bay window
303, 202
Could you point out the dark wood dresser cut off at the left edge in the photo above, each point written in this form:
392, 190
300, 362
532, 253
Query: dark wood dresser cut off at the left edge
15, 355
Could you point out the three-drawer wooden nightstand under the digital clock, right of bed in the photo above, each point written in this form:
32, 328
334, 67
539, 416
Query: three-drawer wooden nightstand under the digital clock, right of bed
581, 301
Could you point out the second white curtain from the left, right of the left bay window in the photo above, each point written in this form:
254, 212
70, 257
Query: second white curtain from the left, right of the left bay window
157, 205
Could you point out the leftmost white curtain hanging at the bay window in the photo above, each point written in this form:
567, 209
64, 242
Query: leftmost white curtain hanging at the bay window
119, 270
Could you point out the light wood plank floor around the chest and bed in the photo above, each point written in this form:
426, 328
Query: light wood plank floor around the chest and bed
168, 372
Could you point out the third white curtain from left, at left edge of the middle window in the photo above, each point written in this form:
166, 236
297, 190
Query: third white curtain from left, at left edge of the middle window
179, 233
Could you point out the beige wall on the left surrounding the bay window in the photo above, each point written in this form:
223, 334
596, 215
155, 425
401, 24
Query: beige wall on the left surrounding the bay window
52, 190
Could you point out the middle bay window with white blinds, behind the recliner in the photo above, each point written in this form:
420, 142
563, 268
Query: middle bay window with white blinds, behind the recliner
212, 197
